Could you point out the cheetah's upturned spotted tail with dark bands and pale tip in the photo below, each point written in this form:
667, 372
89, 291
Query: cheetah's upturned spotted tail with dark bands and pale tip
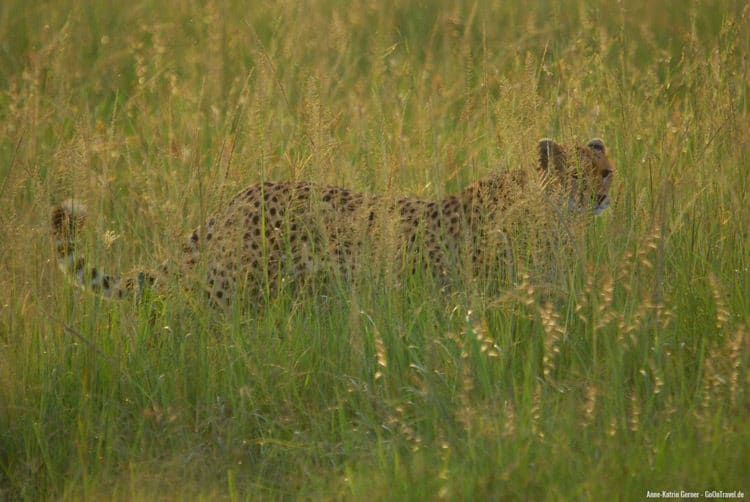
67, 220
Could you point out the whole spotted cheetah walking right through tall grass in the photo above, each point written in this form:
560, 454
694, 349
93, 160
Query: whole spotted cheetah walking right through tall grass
275, 231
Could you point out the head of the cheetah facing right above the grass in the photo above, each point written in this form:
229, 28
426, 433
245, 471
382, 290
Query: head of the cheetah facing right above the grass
585, 172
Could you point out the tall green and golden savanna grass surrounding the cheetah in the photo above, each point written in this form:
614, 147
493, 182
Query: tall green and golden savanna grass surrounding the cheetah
616, 367
